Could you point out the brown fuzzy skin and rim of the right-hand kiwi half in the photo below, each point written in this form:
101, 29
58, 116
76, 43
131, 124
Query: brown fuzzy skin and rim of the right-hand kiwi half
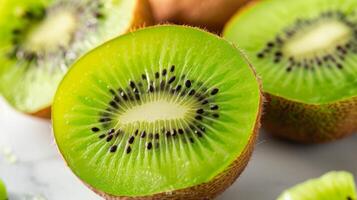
298, 121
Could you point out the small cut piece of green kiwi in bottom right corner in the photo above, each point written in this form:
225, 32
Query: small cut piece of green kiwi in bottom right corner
331, 186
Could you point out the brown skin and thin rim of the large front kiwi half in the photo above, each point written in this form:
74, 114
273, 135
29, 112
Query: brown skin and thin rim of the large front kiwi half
207, 190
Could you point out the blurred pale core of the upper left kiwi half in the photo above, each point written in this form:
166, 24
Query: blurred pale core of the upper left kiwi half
55, 31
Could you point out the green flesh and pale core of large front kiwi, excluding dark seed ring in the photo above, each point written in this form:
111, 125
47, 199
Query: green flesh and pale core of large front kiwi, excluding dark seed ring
84, 93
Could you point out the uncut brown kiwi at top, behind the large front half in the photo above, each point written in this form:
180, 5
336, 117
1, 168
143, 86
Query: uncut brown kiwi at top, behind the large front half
209, 14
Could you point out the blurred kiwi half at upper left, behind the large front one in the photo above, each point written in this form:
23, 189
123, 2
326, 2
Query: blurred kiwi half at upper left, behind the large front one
40, 39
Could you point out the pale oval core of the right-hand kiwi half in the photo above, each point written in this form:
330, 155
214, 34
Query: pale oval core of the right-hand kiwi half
319, 39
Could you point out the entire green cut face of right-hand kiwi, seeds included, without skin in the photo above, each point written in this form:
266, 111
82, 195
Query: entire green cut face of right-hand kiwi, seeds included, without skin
317, 29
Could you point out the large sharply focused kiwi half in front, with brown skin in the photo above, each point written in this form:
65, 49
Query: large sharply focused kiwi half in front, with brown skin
166, 112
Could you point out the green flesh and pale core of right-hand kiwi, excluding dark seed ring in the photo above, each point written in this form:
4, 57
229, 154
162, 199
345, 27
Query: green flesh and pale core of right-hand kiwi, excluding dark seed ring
252, 28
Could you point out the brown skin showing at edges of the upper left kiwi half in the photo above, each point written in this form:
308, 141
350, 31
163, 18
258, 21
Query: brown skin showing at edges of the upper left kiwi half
142, 18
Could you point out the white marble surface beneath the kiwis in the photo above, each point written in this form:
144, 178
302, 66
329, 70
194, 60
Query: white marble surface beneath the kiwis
32, 168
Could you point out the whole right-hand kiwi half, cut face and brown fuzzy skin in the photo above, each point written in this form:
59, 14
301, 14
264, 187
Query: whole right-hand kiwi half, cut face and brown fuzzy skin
306, 53
